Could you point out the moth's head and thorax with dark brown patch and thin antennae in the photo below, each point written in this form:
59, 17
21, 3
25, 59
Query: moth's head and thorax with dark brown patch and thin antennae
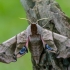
34, 28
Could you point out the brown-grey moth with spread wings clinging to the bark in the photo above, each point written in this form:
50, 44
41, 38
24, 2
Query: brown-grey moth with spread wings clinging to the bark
36, 39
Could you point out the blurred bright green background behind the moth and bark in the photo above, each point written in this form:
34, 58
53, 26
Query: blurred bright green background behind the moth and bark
10, 25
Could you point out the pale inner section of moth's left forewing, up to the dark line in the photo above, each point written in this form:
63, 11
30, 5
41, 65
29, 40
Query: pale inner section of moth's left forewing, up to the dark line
21, 39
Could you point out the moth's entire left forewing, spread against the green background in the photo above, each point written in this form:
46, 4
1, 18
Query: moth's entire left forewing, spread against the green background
10, 48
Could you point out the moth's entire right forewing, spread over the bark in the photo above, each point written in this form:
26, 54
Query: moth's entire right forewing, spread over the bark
65, 43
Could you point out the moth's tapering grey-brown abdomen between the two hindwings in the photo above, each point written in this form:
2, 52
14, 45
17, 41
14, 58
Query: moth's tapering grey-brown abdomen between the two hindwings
35, 47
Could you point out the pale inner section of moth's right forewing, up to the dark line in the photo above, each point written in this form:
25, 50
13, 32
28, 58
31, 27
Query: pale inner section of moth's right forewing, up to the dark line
48, 39
